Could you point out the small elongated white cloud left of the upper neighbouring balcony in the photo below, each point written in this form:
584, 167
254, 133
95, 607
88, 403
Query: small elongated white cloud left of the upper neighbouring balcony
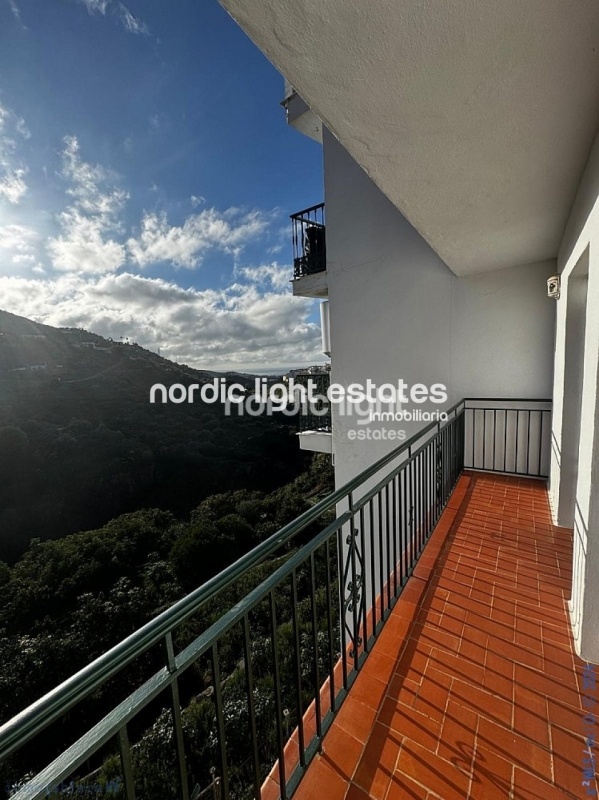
186, 245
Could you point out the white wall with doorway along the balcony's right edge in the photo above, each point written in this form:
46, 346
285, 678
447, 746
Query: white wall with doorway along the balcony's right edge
574, 483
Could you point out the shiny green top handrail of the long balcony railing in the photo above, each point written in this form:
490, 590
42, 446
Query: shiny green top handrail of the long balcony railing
36, 717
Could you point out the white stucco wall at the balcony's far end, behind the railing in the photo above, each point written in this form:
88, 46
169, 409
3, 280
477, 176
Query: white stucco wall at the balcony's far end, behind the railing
397, 312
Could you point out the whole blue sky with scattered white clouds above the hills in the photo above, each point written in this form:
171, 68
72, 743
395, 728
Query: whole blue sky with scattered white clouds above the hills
146, 180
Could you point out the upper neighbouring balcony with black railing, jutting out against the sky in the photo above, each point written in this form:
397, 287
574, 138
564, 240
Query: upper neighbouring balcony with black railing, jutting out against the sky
309, 252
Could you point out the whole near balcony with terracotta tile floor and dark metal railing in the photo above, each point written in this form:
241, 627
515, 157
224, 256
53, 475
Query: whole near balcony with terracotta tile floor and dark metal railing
407, 636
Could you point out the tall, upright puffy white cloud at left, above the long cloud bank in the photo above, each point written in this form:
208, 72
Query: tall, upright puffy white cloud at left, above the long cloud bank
91, 220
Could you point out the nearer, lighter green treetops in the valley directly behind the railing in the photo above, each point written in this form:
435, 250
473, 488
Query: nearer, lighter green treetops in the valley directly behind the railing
66, 601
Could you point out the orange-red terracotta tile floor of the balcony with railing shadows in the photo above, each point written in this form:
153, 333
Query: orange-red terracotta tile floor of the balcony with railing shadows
472, 691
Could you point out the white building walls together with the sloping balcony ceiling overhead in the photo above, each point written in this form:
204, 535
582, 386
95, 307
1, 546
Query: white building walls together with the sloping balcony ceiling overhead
460, 173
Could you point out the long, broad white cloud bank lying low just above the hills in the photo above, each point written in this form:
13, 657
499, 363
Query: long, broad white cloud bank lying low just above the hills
241, 327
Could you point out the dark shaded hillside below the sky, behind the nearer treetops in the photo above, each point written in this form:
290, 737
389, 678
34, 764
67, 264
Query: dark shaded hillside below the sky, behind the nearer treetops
80, 443
